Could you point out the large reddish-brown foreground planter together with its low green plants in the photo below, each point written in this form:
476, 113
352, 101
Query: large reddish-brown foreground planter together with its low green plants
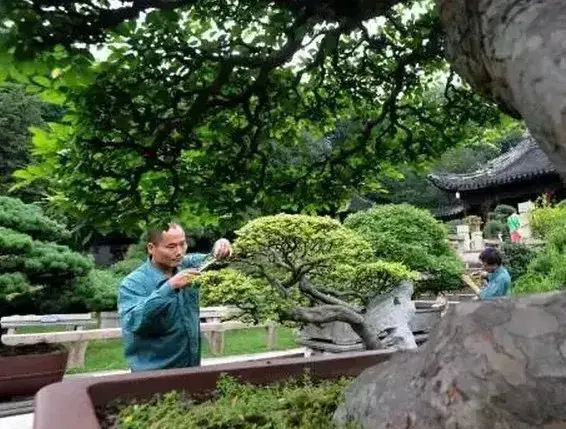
94, 402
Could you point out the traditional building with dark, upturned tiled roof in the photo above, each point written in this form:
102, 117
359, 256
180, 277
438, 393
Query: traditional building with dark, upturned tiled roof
523, 173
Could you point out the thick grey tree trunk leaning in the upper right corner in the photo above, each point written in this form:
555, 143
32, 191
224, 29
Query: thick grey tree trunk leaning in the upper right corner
514, 52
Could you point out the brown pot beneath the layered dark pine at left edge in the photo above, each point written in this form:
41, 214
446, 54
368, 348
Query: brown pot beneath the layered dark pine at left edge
32, 368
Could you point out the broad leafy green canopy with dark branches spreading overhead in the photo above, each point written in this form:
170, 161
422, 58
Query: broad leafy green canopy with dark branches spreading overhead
222, 111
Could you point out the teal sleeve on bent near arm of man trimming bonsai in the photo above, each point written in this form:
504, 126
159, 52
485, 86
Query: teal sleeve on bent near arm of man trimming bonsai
137, 309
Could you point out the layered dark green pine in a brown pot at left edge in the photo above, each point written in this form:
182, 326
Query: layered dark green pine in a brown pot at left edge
38, 275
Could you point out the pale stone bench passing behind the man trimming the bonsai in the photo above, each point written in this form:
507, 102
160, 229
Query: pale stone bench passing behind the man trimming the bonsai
78, 340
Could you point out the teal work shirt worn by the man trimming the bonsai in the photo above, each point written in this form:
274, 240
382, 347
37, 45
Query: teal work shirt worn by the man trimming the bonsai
160, 325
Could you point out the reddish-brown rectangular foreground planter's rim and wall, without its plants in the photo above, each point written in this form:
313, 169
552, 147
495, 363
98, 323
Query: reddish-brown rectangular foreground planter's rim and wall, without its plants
71, 403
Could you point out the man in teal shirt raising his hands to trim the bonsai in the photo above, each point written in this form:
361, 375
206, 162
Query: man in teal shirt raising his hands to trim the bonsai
158, 303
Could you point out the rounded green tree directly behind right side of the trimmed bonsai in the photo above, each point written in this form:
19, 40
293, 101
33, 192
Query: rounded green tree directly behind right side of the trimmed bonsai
406, 234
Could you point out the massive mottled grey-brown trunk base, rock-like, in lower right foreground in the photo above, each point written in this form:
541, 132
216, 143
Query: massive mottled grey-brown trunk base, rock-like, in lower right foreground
498, 364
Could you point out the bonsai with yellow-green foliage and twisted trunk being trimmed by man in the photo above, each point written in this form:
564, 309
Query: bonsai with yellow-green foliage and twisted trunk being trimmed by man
305, 269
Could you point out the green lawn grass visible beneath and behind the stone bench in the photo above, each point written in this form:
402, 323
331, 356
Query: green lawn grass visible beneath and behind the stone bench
108, 355
